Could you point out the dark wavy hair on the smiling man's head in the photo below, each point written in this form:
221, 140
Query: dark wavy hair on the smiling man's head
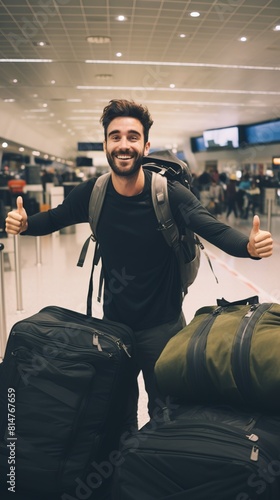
122, 107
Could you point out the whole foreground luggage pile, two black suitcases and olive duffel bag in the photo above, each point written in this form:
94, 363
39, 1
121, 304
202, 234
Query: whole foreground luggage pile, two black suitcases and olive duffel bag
62, 409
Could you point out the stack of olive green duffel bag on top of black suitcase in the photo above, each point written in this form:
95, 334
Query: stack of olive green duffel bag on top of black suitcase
220, 437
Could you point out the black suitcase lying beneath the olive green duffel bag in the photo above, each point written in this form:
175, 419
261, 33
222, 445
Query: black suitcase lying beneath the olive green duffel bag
202, 453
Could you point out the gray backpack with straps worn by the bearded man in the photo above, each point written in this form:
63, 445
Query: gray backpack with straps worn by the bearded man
164, 165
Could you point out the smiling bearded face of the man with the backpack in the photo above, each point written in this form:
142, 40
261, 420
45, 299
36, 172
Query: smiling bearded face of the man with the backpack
124, 145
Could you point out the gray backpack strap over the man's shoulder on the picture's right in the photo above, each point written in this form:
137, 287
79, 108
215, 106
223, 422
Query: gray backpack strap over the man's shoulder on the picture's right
162, 209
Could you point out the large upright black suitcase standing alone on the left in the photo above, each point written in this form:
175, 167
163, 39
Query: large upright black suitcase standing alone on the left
62, 403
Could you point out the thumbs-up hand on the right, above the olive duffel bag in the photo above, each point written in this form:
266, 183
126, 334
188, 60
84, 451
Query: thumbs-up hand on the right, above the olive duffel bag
260, 242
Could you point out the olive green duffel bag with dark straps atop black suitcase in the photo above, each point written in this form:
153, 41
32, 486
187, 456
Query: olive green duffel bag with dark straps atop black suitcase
229, 353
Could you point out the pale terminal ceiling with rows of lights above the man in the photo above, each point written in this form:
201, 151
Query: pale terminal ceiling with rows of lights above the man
219, 80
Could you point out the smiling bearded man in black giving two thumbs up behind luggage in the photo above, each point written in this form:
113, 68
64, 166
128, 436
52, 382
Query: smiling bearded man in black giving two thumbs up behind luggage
149, 296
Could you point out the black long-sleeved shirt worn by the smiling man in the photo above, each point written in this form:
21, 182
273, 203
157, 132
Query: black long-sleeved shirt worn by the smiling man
142, 283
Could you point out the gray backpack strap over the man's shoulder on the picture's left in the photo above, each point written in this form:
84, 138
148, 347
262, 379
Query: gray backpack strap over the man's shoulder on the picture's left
96, 201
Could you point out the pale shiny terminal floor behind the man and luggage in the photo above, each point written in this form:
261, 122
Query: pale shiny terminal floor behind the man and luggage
58, 281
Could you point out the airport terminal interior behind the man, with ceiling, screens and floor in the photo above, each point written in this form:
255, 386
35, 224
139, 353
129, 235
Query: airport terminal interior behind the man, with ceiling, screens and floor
208, 71
